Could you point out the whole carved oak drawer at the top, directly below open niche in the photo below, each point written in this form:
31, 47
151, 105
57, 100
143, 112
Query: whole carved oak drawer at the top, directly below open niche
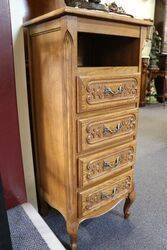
99, 93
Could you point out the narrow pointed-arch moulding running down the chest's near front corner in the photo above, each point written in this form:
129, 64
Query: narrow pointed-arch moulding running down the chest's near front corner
68, 44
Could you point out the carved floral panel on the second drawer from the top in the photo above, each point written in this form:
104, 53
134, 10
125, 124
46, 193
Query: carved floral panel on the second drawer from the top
101, 131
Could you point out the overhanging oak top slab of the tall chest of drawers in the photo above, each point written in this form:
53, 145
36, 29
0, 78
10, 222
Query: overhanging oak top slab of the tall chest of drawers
71, 11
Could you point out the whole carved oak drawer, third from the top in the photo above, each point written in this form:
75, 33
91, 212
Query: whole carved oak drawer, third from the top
100, 165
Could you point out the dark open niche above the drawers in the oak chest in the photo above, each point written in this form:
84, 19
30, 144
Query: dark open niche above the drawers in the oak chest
97, 50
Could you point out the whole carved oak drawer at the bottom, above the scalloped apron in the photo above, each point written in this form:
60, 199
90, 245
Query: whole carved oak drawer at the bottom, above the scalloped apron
105, 193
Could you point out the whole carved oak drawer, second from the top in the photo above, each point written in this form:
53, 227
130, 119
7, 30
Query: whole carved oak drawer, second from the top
106, 130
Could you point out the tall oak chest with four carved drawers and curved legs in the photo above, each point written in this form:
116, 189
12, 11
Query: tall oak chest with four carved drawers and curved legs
85, 71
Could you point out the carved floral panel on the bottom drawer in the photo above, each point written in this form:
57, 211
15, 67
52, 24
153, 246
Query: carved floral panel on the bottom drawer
94, 199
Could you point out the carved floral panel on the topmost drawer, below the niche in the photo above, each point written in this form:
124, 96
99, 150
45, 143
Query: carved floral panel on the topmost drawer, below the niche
100, 92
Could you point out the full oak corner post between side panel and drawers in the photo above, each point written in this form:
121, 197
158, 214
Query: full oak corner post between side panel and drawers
70, 60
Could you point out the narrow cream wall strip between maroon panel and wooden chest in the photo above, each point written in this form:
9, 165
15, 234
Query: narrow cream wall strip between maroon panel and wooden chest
17, 13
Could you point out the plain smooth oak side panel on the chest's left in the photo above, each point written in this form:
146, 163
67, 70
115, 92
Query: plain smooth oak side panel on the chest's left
49, 116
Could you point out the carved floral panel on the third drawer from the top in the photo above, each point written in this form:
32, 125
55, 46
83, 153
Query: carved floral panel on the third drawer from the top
110, 163
